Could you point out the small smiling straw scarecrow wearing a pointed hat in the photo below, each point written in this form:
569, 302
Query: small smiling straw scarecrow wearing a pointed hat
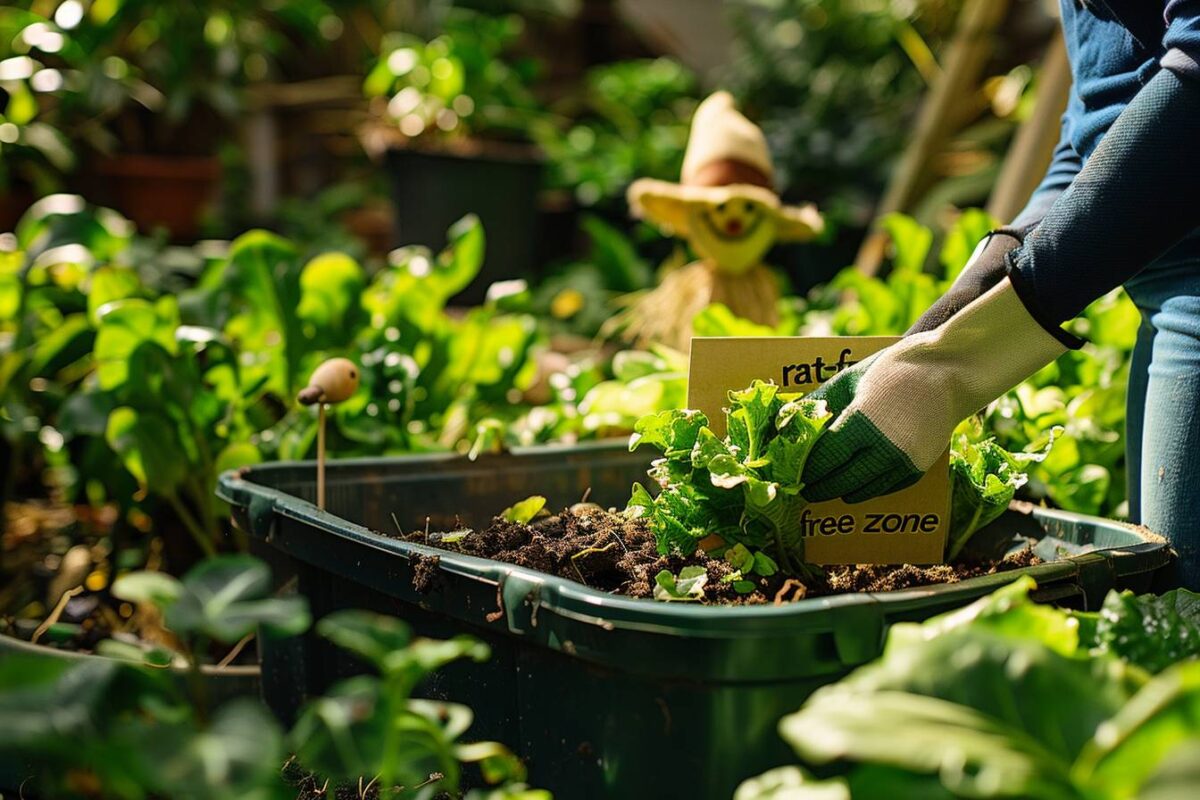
727, 208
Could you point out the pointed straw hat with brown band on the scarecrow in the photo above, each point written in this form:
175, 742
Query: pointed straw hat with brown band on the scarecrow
728, 159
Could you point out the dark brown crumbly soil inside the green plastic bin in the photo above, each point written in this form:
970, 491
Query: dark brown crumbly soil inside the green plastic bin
613, 554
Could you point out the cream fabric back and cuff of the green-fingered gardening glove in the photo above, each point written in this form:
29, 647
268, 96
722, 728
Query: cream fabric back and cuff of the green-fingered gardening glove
920, 389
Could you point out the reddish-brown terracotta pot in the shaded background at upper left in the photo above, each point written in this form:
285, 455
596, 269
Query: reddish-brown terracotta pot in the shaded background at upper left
170, 193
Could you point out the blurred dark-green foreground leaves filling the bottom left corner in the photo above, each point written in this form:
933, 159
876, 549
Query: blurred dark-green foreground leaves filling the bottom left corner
105, 727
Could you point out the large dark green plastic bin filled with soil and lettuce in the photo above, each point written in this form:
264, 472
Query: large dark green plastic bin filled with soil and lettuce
604, 696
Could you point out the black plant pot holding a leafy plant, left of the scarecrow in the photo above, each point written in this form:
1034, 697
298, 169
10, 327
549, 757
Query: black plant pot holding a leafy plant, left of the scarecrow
431, 191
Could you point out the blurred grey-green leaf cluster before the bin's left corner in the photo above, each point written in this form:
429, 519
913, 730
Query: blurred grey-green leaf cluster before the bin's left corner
227, 598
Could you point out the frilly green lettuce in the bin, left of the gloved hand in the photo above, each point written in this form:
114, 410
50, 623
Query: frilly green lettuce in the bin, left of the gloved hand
745, 489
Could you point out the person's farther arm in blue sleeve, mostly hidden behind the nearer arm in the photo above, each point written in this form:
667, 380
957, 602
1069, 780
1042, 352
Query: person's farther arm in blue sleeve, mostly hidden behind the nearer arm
988, 264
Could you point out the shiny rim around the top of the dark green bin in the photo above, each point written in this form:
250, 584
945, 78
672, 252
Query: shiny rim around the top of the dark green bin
572, 599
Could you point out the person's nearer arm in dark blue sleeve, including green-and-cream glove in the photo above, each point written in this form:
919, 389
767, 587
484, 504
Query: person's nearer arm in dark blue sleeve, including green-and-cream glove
1131, 203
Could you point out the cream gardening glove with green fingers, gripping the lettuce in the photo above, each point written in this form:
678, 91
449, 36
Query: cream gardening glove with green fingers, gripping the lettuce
897, 411
